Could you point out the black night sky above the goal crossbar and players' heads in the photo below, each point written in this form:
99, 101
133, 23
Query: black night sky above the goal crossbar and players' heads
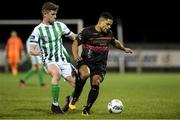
145, 22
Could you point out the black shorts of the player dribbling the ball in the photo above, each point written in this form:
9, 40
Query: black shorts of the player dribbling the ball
95, 68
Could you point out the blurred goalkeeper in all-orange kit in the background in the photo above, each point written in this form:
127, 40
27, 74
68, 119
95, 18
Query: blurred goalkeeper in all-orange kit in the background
14, 48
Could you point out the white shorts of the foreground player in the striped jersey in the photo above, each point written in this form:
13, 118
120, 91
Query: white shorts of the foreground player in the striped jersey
65, 69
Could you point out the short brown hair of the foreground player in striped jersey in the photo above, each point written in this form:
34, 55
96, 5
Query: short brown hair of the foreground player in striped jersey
49, 6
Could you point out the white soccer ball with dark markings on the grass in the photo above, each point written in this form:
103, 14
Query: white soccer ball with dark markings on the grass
115, 106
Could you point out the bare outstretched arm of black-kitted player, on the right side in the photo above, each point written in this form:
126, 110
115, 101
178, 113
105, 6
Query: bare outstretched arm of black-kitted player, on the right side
119, 45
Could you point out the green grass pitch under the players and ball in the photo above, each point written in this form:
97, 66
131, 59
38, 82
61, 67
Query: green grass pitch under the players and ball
145, 96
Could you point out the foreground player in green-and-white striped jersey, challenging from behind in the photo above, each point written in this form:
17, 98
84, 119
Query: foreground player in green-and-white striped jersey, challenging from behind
48, 35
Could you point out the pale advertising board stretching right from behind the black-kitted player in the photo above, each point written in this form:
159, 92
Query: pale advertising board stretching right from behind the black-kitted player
145, 59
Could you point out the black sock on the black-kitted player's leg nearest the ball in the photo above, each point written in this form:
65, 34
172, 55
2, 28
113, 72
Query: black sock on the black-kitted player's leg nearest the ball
93, 94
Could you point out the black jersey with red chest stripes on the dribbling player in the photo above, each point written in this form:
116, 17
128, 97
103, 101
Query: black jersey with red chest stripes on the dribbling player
95, 45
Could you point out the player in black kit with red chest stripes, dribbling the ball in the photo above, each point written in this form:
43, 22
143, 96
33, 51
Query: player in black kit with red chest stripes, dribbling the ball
96, 41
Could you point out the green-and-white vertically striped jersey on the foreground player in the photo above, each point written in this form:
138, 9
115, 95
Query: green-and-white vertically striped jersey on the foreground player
49, 38
